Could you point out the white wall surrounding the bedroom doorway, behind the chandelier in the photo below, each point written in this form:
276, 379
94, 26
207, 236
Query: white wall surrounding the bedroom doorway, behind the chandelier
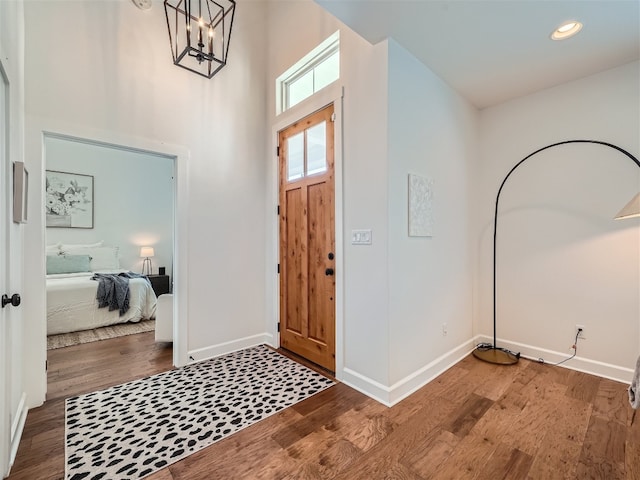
106, 67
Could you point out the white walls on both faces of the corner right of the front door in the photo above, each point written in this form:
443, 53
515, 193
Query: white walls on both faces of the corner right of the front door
398, 118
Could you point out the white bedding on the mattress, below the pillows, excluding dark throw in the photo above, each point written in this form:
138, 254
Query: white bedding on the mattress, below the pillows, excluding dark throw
72, 304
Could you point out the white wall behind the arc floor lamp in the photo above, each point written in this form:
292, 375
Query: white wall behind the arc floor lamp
562, 260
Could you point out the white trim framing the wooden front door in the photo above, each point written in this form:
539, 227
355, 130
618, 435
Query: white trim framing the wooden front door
331, 94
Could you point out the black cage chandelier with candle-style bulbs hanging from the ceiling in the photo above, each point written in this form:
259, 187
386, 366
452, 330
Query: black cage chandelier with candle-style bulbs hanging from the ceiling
199, 33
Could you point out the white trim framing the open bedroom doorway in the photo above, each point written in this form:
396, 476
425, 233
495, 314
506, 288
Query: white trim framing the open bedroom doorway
180, 156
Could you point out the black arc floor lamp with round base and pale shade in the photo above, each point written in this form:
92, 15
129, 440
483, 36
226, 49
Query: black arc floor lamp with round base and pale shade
492, 353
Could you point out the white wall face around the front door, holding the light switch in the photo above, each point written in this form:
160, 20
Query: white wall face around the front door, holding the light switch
296, 27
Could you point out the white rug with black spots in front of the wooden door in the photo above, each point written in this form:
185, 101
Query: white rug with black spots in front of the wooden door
135, 429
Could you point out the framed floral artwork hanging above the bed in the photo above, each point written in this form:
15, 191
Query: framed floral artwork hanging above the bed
69, 200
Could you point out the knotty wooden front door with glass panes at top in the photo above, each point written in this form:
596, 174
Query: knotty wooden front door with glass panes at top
307, 238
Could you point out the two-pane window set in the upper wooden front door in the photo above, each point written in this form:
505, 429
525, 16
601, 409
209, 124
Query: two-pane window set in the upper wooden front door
307, 152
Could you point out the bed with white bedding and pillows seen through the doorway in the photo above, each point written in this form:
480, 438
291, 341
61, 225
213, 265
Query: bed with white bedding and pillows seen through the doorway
71, 295
